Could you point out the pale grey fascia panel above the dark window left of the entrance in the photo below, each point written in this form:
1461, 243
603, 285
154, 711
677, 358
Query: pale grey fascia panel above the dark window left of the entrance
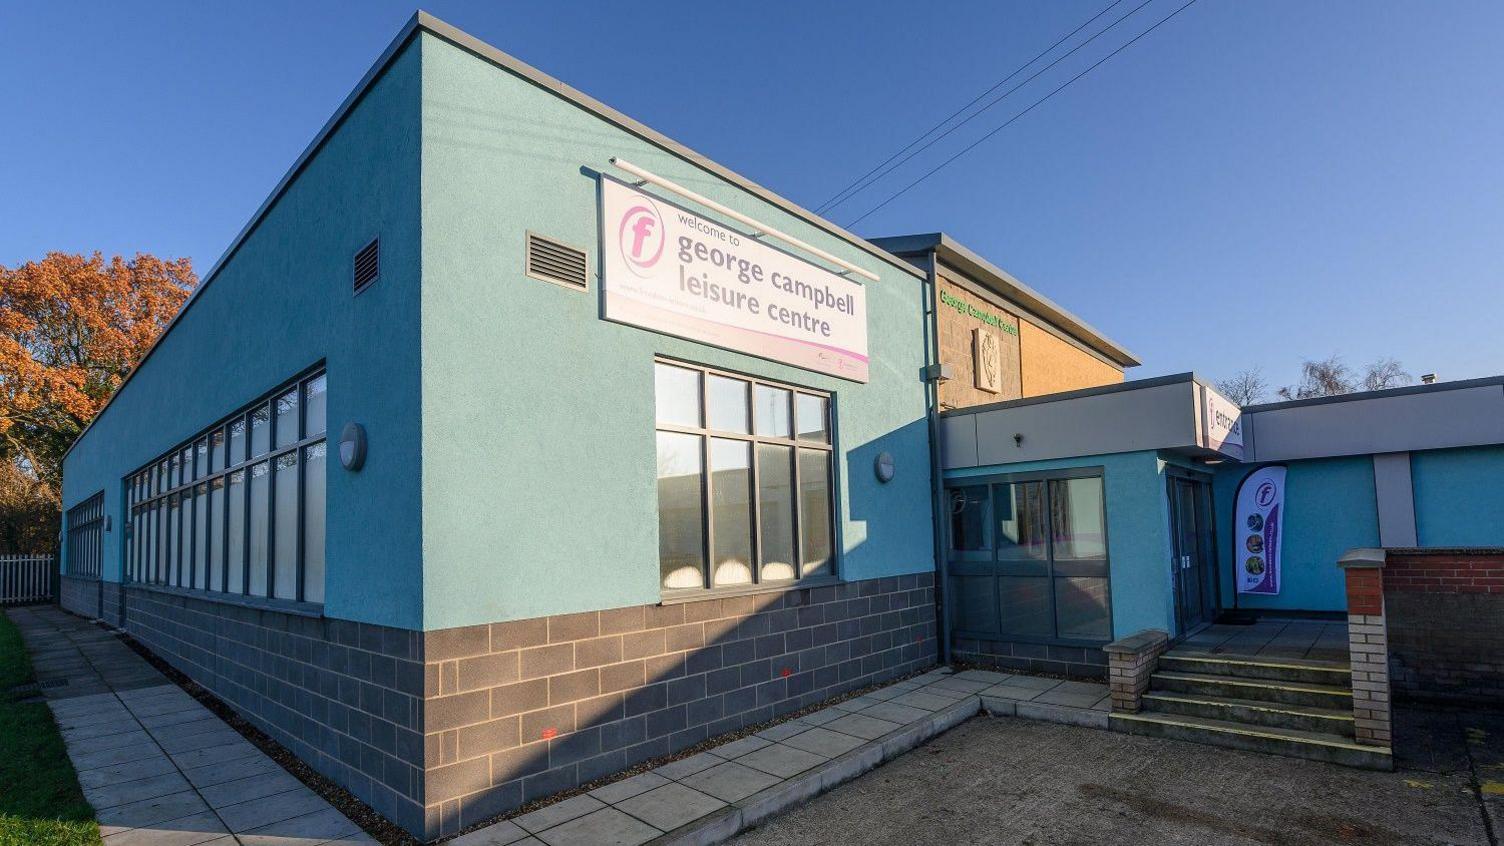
1148, 419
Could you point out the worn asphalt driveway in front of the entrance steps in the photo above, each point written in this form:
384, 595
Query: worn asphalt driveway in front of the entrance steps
1004, 781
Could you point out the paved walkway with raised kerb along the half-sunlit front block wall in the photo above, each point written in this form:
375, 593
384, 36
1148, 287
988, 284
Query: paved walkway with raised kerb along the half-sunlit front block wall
712, 796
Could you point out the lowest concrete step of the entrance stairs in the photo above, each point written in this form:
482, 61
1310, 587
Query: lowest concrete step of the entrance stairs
1290, 743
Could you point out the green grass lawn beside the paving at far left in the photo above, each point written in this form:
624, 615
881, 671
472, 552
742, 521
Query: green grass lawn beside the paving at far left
40, 799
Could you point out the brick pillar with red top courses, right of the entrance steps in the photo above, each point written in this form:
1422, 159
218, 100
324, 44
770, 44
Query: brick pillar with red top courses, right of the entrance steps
1368, 647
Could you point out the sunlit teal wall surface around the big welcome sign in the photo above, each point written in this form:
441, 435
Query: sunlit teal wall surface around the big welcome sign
539, 490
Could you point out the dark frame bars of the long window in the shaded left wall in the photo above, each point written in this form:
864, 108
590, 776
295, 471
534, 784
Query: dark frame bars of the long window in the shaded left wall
148, 499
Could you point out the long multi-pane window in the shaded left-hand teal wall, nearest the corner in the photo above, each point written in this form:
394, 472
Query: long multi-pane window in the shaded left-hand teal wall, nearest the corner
238, 510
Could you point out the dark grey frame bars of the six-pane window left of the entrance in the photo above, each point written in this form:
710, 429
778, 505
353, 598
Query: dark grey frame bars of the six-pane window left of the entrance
968, 561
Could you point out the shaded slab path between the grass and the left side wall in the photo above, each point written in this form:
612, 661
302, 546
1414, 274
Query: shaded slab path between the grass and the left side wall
157, 767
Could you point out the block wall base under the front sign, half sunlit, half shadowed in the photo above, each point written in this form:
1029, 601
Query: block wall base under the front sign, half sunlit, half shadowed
523, 710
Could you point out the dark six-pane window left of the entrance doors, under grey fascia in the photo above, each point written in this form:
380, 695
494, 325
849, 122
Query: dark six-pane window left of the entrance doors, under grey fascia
1029, 558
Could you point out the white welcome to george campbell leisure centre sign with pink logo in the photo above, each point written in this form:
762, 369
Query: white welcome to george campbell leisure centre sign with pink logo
670, 270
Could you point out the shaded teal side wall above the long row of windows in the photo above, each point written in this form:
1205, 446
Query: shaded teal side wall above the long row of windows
282, 305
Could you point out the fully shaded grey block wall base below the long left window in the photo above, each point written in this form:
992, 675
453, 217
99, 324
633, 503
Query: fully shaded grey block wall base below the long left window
345, 698
